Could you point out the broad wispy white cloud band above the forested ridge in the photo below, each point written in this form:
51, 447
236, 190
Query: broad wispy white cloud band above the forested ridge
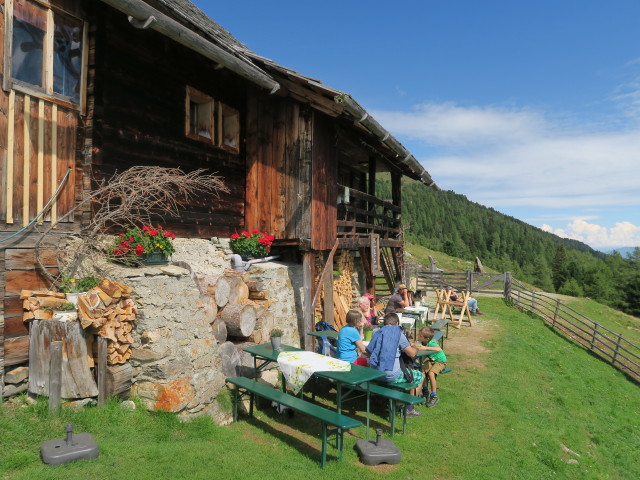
504, 158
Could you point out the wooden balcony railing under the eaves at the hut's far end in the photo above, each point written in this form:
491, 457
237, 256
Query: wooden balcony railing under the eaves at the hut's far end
361, 215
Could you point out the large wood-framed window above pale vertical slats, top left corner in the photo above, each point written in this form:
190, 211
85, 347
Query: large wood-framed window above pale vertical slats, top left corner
46, 50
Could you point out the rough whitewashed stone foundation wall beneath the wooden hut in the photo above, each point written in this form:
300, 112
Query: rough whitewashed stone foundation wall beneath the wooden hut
176, 359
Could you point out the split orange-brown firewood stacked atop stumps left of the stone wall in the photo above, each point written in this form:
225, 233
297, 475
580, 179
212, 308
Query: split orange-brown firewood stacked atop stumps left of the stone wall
107, 311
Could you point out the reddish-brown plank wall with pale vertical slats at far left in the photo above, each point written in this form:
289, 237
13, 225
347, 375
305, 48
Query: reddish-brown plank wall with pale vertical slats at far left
38, 140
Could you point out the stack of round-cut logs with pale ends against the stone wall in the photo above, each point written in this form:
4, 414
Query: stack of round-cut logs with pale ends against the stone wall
237, 308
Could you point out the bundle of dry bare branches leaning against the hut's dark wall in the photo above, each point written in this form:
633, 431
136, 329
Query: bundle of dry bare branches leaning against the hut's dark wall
129, 198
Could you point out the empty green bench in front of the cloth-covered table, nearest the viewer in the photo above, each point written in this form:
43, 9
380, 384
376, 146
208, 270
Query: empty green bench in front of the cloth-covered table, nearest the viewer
326, 417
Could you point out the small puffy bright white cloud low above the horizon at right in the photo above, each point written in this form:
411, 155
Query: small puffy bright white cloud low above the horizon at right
622, 234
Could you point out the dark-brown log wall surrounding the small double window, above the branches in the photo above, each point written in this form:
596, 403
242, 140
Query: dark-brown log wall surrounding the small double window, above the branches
140, 91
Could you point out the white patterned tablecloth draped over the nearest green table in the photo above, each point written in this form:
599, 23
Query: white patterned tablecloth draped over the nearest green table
297, 367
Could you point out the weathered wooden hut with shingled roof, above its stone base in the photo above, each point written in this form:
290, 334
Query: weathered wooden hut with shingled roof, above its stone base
91, 87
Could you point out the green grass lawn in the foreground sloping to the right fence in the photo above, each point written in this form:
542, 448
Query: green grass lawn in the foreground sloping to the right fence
517, 411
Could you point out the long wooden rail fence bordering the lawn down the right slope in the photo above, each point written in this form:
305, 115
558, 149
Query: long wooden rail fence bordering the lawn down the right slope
608, 345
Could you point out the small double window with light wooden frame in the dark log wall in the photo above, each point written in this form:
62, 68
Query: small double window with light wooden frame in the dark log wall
212, 122
